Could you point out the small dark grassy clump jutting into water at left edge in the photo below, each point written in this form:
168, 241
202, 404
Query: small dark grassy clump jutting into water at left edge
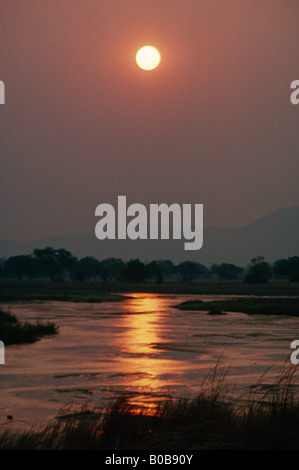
12, 331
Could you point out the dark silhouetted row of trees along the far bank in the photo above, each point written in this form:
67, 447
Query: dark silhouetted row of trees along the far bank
57, 264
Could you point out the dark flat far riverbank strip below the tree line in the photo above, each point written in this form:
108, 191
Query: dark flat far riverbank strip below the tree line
100, 291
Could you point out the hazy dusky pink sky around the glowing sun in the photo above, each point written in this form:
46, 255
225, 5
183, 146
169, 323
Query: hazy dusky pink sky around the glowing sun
82, 124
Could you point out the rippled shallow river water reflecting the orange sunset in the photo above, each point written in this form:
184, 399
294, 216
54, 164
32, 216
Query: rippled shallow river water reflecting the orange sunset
141, 346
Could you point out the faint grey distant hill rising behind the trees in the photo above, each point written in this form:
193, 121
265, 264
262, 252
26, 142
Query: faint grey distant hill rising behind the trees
273, 236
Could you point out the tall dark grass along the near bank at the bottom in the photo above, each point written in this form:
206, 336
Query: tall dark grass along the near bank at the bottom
211, 420
